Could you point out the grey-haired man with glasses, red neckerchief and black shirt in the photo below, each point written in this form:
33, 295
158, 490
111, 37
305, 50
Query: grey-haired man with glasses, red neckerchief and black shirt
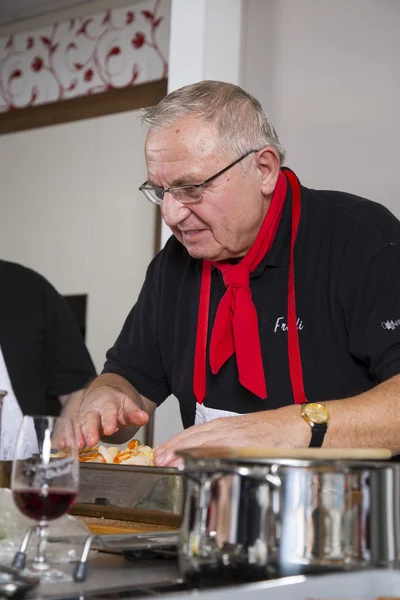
273, 306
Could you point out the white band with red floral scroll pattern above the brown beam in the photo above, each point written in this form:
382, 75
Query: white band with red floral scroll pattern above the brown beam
116, 48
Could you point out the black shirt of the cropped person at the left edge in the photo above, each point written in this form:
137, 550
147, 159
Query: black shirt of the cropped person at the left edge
40, 339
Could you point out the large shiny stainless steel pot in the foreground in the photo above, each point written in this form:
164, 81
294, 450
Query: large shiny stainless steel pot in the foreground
254, 519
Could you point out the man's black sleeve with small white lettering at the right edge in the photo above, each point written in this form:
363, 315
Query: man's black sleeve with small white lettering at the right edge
372, 312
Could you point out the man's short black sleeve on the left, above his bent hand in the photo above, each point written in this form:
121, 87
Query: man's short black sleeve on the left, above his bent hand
136, 353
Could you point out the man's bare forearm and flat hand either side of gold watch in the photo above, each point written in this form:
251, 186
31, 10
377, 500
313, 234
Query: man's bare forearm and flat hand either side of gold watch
369, 420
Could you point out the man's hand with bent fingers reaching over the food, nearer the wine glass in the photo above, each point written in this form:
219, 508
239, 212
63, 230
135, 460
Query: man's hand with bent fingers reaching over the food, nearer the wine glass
109, 404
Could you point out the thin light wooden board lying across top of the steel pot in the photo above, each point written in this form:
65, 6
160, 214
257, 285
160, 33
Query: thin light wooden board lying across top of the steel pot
295, 453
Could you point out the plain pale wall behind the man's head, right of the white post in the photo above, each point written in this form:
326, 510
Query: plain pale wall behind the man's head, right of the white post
327, 72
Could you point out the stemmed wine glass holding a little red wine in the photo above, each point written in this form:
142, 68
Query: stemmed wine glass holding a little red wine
44, 481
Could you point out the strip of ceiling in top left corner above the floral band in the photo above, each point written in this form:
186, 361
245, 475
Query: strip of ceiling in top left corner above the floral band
12, 11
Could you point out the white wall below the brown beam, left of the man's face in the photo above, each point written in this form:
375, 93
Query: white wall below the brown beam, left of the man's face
70, 209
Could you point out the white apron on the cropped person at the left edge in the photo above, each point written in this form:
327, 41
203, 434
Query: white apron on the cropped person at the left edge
11, 419
